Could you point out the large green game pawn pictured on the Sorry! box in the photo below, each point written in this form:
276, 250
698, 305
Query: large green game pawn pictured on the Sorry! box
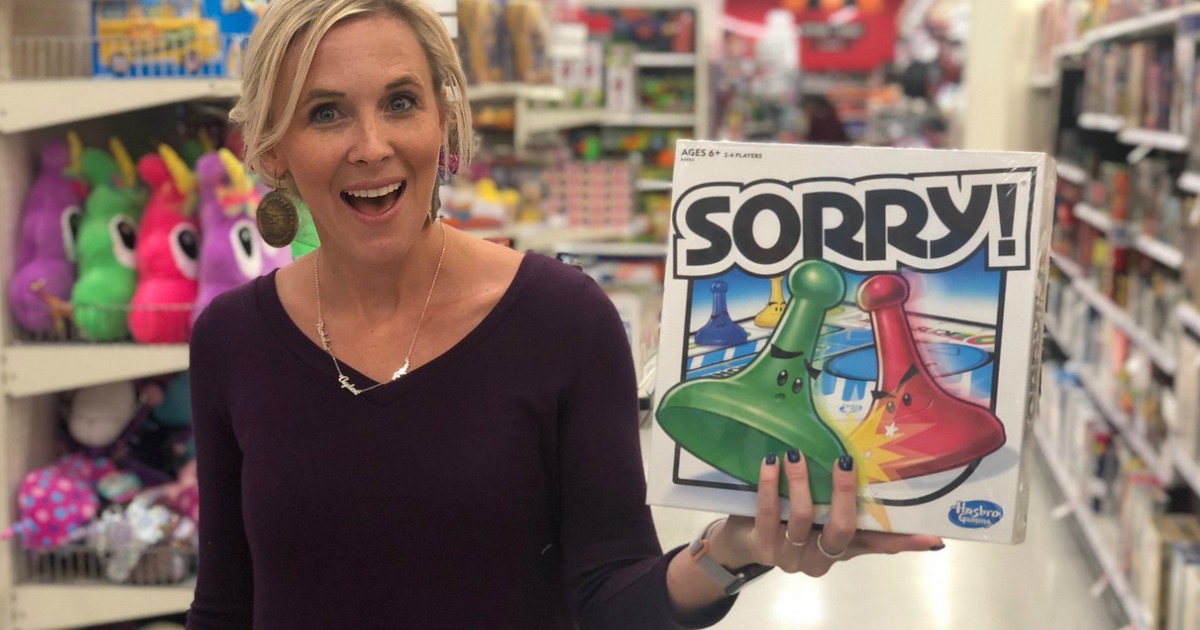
734, 423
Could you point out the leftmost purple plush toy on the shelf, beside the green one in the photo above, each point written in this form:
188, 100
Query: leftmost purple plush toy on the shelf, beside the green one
46, 256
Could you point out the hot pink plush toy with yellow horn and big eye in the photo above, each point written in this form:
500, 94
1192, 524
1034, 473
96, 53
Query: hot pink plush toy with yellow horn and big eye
166, 253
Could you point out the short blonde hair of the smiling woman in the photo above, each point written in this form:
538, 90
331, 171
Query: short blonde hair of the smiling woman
287, 23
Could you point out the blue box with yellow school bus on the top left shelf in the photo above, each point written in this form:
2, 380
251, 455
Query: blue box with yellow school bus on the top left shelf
171, 38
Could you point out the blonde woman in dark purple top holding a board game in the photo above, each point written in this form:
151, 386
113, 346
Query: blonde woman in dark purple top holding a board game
412, 428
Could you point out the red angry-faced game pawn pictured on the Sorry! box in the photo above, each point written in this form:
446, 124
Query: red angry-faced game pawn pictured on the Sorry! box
929, 430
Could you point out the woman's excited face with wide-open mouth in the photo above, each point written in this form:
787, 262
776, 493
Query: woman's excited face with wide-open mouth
363, 146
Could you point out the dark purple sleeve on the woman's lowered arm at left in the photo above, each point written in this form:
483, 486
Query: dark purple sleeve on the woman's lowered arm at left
225, 581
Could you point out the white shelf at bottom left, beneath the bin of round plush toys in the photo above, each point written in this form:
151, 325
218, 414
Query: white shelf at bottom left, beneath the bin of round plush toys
57, 607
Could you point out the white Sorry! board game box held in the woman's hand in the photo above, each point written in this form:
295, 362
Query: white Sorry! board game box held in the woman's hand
885, 304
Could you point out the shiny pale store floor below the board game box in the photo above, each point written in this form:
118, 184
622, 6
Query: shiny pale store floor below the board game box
1042, 585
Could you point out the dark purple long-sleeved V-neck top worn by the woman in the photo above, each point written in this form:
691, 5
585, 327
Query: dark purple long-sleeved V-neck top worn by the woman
500, 485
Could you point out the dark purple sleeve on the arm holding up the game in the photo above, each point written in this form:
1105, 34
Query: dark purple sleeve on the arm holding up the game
613, 560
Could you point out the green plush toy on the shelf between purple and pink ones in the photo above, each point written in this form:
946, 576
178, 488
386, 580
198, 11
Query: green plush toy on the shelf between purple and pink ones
107, 239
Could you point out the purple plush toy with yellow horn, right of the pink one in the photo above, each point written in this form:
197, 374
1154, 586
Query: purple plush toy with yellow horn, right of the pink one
232, 253
